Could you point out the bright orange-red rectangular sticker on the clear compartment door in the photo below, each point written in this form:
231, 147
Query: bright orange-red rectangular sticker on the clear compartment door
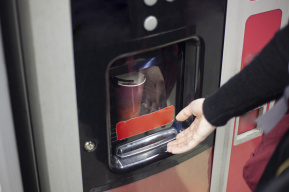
145, 123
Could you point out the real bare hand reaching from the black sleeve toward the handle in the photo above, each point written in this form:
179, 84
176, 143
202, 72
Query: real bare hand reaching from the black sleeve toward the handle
195, 133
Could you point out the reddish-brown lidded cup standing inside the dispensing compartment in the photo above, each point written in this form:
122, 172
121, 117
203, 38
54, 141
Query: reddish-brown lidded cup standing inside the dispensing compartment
128, 92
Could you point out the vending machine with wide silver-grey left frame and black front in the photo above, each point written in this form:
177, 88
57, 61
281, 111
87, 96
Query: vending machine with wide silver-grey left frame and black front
96, 86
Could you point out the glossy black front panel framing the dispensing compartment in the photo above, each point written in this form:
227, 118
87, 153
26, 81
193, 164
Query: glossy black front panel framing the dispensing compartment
106, 30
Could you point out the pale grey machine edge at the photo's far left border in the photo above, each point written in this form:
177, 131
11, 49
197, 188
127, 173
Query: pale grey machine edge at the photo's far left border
10, 177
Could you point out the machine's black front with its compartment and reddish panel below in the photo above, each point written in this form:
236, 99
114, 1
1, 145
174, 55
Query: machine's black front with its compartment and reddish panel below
137, 64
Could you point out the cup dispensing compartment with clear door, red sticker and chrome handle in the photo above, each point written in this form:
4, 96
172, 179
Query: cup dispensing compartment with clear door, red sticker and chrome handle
146, 90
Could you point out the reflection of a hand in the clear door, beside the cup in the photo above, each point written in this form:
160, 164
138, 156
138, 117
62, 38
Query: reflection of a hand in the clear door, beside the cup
154, 90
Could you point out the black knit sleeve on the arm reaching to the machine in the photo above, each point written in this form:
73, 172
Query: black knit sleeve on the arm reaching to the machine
263, 80
